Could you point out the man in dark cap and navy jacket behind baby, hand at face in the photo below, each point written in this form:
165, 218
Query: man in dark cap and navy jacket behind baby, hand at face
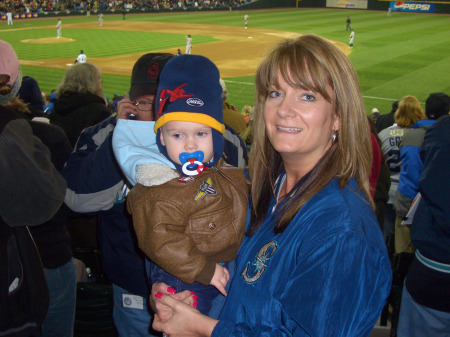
96, 184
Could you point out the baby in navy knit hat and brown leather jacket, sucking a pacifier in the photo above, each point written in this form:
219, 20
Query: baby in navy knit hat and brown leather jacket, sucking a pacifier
198, 218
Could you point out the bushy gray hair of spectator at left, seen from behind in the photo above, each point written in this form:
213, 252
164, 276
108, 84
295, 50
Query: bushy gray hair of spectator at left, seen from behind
81, 78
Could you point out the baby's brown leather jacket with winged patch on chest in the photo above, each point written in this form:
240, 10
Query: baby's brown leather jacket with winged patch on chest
185, 228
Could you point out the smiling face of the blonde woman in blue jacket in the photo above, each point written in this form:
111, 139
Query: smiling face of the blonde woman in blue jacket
299, 122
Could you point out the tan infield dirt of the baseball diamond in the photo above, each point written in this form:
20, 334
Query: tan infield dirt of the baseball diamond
237, 53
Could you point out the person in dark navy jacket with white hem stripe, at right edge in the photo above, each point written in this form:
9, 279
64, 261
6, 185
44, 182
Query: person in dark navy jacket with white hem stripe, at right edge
425, 306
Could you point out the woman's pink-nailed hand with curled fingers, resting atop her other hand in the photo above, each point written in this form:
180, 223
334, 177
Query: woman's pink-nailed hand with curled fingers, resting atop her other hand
164, 312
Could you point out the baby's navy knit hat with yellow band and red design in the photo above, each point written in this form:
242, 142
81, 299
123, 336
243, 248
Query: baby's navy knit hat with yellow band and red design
188, 92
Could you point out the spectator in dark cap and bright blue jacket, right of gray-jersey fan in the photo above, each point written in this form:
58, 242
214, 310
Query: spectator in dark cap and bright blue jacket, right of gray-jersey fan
437, 104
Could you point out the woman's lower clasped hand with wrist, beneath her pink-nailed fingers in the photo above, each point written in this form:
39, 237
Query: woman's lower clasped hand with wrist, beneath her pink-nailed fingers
185, 320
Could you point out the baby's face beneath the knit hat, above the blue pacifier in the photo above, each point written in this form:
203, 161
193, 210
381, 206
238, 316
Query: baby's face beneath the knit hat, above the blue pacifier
179, 137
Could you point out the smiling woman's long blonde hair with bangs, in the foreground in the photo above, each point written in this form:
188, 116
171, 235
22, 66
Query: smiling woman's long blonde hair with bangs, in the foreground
312, 63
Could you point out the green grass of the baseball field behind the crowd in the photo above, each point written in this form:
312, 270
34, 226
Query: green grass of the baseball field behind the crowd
405, 54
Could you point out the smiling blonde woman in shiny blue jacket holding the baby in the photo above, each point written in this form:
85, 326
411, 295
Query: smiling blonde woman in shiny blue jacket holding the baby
314, 261
